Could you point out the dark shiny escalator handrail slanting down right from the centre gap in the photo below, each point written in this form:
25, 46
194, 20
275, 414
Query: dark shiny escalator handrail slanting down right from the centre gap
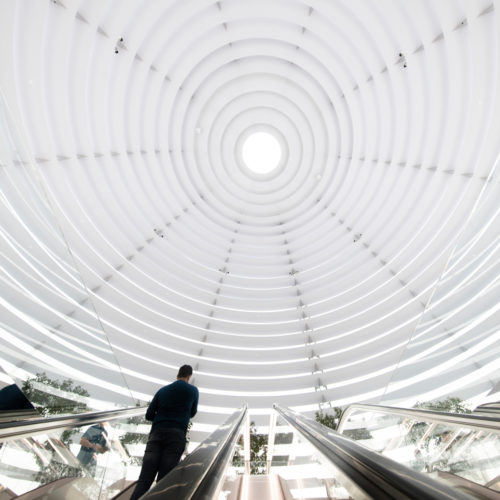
378, 476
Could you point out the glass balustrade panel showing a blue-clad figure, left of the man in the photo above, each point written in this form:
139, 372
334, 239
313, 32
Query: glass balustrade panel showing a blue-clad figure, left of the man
90, 462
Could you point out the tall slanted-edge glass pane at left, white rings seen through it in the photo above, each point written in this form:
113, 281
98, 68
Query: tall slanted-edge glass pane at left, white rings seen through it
55, 346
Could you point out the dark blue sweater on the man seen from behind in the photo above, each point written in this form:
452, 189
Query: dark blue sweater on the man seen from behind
173, 405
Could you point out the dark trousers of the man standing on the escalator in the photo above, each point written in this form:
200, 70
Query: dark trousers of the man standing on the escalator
163, 452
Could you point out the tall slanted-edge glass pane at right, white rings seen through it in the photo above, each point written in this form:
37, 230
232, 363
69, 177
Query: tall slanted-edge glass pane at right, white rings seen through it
455, 347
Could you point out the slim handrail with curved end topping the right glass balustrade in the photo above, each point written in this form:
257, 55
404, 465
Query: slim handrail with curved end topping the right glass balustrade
479, 422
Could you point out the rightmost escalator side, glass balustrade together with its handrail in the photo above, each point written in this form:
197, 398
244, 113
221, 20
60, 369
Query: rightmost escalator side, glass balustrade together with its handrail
462, 450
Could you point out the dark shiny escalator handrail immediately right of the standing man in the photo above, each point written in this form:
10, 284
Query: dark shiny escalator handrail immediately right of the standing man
201, 472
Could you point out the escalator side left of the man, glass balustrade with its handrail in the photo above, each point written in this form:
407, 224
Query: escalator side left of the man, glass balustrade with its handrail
39, 457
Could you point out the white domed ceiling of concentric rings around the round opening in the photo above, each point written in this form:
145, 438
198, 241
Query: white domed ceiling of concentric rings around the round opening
364, 267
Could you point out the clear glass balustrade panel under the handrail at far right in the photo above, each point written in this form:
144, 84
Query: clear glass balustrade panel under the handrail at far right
443, 450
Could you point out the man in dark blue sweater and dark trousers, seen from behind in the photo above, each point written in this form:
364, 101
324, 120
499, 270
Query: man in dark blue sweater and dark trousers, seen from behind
170, 411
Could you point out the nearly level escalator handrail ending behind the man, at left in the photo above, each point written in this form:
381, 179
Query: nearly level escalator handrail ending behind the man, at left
26, 428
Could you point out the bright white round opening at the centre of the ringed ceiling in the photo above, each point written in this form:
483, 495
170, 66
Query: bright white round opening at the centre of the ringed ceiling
261, 152
